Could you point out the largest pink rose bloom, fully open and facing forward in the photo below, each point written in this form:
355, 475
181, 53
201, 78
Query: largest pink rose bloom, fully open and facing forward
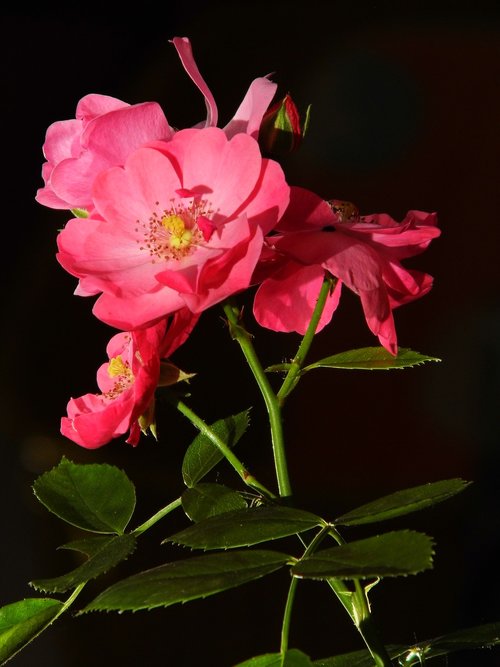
181, 224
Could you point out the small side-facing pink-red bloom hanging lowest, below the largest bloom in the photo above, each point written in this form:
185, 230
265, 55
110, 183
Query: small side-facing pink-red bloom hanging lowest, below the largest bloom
127, 384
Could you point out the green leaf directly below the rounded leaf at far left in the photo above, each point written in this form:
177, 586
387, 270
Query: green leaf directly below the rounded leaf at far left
104, 553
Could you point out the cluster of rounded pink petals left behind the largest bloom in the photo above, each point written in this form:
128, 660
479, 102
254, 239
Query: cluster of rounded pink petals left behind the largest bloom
102, 135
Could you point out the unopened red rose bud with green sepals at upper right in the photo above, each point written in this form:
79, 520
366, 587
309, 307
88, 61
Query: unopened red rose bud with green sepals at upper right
281, 131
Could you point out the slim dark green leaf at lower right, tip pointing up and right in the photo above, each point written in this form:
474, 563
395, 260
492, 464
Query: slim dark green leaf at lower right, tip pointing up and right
403, 502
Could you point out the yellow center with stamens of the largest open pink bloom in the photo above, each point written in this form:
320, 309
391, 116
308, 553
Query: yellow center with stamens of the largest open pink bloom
175, 232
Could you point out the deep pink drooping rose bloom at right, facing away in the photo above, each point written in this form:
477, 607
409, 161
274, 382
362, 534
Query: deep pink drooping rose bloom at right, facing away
364, 254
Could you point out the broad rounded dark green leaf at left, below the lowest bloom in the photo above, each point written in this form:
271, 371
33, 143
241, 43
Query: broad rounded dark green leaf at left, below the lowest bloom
96, 497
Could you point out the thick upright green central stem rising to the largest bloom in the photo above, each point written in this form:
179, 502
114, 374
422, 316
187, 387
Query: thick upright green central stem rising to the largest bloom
241, 335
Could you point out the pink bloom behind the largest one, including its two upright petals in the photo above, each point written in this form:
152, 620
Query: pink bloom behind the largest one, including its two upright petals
106, 130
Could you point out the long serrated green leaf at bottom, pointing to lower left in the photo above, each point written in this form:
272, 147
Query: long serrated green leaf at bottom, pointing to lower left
190, 579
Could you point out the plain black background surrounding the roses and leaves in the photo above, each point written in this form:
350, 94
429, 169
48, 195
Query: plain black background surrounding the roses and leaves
405, 114
